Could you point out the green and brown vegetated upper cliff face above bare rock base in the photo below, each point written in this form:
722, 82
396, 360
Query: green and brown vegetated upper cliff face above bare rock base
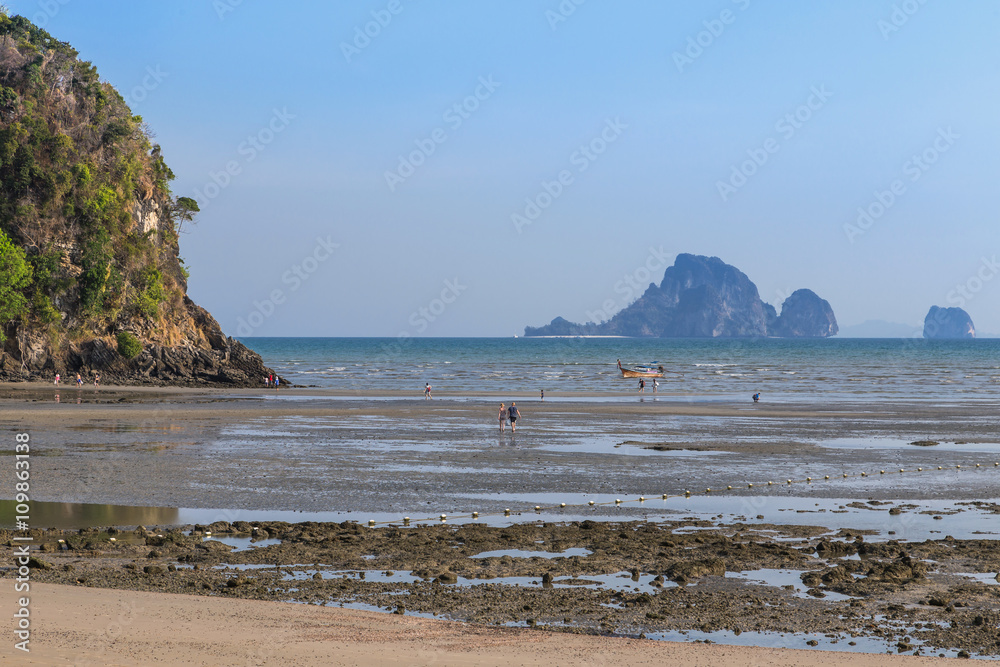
84, 199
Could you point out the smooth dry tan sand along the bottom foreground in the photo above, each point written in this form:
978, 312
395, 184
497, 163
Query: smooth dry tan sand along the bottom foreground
109, 627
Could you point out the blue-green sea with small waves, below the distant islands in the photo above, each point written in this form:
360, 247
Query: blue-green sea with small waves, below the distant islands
831, 369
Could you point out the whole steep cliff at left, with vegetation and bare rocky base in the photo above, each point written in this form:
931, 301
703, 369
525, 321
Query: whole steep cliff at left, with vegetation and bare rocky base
90, 276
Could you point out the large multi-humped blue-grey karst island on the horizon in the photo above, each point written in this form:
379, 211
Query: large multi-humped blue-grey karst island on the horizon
703, 297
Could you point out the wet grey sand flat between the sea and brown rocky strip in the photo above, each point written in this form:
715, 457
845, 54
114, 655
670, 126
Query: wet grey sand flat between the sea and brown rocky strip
303, 452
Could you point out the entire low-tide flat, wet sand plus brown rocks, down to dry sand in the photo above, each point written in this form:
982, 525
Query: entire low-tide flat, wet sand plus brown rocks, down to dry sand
392, 455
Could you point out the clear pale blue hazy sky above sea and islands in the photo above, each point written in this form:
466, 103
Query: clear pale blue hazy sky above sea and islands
452, 169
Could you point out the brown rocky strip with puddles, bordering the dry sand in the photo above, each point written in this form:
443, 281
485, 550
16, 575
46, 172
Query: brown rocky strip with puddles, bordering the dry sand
633, 578
